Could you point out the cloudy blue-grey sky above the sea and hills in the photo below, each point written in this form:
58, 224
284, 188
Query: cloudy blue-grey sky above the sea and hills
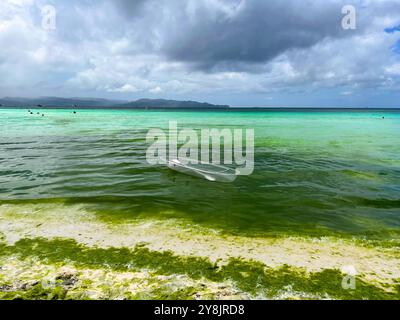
239, 52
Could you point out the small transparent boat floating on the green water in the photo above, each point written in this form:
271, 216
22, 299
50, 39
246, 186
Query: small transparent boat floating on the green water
208, 171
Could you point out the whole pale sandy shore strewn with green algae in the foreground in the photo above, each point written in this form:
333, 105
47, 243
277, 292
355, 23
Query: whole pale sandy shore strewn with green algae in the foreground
56, 237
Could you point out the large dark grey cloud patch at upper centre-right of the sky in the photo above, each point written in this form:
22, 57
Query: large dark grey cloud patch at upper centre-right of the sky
261, 31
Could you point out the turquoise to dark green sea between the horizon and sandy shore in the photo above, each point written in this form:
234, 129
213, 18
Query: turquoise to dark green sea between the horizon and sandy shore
315, 172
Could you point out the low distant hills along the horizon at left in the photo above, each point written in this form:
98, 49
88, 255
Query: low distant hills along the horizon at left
55, 102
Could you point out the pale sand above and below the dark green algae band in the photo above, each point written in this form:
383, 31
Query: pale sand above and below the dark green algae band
378, 265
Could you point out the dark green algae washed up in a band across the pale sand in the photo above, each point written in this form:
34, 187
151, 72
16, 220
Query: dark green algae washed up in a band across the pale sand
251, 277
